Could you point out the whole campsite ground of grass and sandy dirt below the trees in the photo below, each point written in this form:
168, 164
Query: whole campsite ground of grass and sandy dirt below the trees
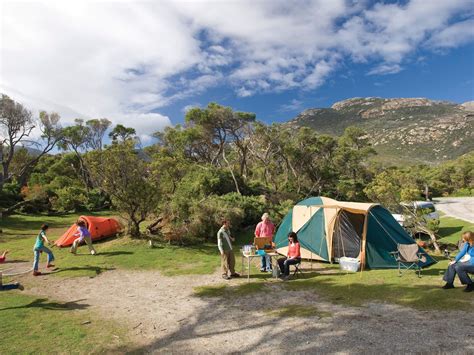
173, 299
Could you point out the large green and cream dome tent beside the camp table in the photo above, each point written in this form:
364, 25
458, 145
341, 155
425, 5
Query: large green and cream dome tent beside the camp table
328, 229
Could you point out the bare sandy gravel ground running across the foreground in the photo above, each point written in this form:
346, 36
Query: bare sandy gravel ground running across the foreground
163, 315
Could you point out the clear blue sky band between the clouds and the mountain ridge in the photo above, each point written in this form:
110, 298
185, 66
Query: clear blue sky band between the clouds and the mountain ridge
438, 76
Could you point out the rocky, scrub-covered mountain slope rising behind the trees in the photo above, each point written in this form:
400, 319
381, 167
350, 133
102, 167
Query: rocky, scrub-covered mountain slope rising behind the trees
415, 130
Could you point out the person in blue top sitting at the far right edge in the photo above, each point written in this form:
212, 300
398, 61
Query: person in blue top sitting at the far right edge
462, 265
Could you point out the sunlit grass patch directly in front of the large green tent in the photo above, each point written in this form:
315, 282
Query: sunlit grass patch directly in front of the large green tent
387, 287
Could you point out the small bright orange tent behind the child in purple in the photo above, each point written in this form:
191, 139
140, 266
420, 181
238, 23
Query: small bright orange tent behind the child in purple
99, 227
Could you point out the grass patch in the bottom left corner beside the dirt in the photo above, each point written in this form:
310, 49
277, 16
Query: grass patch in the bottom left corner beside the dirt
31, 325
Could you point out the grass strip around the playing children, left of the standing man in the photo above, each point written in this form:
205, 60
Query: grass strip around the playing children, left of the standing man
19, 233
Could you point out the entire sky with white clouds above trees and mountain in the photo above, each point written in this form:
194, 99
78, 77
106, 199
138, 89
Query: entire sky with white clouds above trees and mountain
145, 63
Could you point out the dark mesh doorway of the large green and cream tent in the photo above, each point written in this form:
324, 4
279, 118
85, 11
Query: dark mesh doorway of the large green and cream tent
347, 236
